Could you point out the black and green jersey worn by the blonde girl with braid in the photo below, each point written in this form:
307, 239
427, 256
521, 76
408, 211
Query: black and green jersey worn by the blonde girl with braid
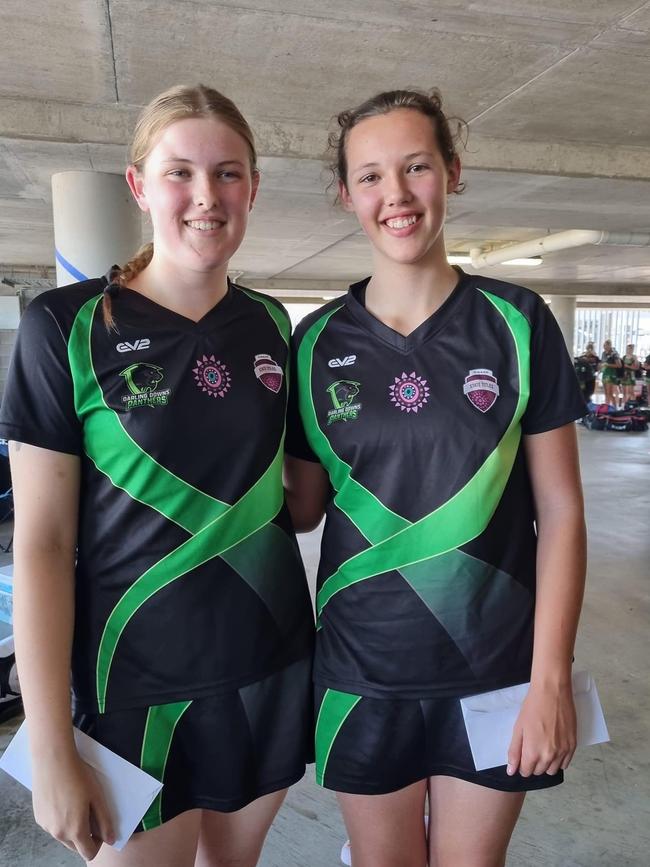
188, 579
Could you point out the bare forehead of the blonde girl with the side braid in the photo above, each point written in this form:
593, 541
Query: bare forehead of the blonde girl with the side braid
199, 138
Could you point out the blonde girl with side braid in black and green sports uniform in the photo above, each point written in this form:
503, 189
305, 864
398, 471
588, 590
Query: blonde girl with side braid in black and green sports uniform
186, 618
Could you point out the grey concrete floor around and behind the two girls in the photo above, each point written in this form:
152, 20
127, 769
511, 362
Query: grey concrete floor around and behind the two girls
601, 816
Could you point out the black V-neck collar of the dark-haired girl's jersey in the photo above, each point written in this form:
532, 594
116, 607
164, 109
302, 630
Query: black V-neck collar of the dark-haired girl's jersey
355, 301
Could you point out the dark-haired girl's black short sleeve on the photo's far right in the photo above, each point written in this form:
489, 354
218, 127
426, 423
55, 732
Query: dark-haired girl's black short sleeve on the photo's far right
555, 395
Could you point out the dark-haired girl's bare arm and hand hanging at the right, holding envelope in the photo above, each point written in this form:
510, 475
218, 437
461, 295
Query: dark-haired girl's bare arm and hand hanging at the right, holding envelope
544, 737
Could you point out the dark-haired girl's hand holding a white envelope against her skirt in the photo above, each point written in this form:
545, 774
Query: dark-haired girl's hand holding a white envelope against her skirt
544, 736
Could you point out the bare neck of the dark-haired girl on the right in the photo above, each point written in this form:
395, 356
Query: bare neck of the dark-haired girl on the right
404, 296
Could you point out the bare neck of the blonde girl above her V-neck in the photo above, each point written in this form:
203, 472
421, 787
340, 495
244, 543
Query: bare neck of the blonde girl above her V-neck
190, 293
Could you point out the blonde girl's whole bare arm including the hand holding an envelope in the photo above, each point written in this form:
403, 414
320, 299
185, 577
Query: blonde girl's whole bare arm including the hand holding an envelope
46, 499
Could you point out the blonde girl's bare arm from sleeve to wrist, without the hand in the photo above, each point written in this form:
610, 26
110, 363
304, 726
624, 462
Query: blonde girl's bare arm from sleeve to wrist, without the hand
46, 488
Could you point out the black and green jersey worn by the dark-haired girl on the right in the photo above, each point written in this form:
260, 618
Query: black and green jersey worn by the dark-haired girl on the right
426, 582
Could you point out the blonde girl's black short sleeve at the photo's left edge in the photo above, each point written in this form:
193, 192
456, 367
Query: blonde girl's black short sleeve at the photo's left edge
38, 402
